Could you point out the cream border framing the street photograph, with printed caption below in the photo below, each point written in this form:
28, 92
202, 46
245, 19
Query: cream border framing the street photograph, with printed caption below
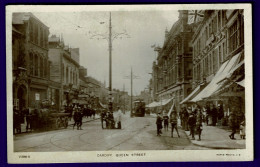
151, 156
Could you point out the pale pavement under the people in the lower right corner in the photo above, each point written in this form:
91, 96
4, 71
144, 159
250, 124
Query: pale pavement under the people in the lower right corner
215, 137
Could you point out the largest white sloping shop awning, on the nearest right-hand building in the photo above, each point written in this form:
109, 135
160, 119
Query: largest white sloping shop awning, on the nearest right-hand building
222, 73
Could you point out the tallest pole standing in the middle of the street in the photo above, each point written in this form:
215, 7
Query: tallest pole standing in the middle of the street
110, 63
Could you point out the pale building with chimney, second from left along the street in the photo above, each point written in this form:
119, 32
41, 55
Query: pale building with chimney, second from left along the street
64, 69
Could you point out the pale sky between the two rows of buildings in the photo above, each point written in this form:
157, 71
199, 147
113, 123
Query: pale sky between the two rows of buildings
145, 28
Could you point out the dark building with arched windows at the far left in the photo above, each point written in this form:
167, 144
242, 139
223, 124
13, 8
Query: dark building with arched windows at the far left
30, 60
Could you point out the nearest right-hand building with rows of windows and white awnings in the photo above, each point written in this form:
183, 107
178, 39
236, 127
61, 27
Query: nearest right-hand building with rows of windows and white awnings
218, 59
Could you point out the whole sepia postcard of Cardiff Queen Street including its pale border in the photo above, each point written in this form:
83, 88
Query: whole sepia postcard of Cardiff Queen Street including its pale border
123, 83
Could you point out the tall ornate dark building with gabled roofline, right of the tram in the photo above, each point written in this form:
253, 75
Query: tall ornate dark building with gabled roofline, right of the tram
172, 72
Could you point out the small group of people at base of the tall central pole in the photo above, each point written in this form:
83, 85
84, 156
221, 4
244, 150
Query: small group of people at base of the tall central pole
108, 118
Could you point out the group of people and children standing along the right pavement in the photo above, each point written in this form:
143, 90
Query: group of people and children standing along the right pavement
192, 119
